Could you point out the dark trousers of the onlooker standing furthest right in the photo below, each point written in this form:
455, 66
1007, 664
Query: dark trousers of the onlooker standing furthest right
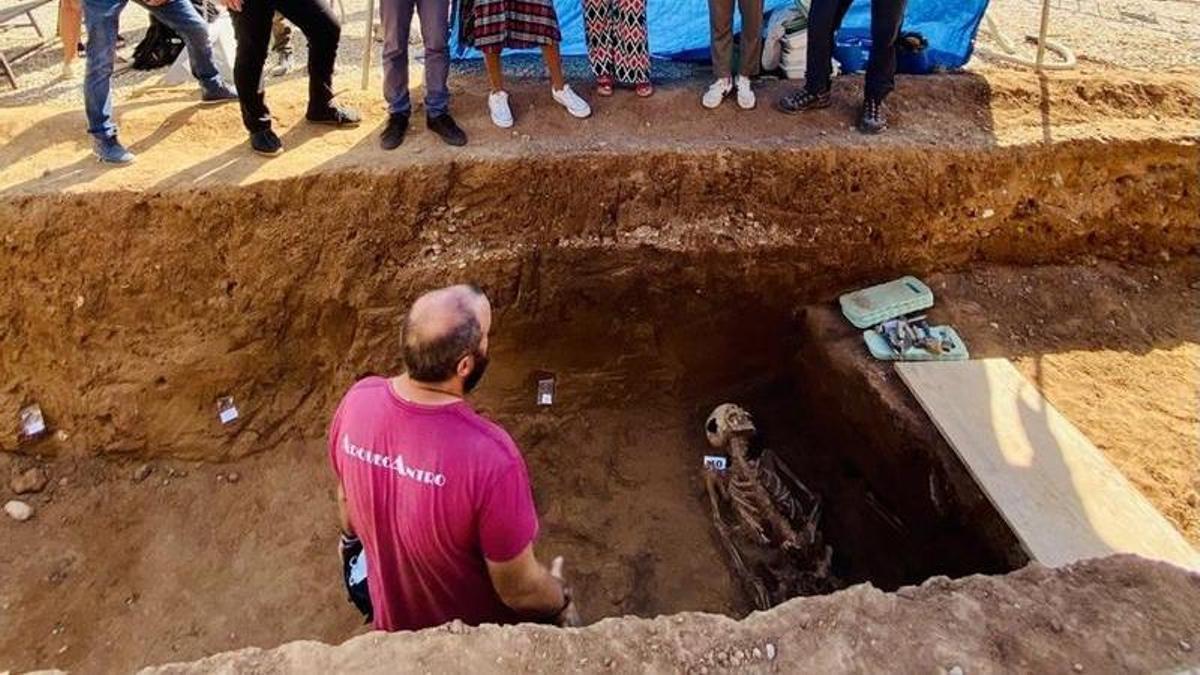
825, 20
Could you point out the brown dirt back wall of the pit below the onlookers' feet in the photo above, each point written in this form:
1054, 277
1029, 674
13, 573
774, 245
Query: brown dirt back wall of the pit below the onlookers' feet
128, 315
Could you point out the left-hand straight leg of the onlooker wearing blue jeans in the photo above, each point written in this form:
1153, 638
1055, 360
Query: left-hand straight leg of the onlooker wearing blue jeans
103, 19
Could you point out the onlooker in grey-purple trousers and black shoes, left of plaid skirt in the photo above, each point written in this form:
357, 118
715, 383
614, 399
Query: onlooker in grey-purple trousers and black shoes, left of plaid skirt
398, 20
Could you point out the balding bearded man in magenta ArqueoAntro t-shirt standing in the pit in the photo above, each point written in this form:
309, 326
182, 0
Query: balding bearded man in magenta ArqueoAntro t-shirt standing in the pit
440, 497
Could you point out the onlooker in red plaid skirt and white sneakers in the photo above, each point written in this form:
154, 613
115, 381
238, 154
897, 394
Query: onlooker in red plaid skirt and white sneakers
495, 26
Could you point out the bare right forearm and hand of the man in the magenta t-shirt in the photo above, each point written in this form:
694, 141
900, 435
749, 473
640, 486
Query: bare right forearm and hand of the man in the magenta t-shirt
529, 588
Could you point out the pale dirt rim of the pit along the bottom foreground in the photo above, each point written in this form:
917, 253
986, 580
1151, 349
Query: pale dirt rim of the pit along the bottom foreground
1117, 614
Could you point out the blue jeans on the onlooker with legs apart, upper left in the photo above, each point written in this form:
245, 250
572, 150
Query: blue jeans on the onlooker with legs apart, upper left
101, 17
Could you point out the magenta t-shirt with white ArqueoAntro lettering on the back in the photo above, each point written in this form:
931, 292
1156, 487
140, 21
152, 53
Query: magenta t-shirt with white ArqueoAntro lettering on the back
433, 491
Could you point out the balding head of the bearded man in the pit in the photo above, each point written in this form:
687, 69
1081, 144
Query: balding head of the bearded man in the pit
442, 328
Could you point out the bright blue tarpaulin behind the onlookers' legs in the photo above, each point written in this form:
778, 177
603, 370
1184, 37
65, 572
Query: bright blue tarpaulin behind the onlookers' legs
680, 28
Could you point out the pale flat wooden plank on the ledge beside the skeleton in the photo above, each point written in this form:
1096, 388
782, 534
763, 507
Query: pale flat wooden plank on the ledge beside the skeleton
1064, 500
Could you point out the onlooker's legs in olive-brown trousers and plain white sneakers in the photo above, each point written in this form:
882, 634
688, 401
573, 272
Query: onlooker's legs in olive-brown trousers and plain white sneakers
721, 17
